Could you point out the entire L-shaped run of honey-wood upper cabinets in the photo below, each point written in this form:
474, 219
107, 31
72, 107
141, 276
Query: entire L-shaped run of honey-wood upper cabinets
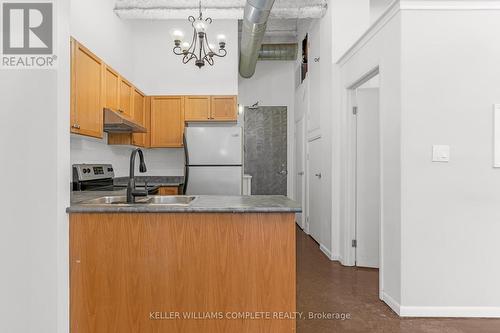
96, 85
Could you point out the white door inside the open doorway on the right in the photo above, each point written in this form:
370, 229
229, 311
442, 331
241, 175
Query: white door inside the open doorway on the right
367, 178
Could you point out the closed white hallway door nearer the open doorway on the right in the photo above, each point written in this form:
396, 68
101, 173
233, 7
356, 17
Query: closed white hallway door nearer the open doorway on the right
315, 197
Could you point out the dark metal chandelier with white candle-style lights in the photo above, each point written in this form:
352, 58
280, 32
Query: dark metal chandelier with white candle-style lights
200, 49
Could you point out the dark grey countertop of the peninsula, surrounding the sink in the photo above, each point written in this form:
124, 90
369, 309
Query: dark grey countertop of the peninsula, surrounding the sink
202, 204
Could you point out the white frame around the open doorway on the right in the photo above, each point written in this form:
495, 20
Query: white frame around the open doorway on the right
351, 179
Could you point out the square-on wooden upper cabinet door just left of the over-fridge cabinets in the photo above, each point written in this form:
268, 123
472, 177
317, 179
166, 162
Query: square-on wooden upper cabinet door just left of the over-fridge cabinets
167, 121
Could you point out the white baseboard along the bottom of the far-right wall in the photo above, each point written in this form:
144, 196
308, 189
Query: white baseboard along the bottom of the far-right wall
450, 311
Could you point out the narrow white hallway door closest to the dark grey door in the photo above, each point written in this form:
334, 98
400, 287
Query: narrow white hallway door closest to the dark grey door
300, 165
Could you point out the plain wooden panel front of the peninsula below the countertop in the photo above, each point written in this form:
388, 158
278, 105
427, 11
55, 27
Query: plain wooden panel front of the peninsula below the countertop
136, 272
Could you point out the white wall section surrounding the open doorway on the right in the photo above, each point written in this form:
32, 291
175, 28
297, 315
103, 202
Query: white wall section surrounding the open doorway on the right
381, 49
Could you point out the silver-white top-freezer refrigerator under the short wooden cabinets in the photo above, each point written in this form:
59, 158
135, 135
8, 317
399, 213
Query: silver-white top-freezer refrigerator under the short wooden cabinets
214, 160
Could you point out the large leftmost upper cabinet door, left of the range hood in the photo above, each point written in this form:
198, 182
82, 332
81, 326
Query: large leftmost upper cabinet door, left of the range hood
86, 91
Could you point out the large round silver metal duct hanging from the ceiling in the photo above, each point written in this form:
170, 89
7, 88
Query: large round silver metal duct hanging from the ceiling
254, 28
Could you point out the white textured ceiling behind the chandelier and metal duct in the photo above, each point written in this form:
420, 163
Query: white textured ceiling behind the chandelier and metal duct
282, 26
